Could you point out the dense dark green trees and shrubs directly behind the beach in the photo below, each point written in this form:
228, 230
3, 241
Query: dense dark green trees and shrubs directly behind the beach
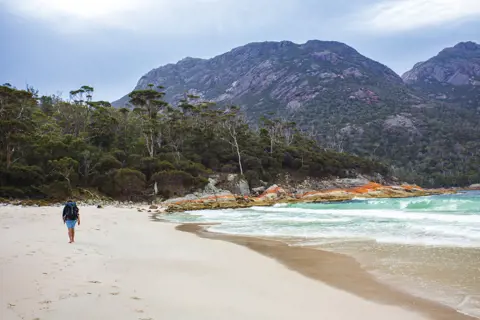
52, 148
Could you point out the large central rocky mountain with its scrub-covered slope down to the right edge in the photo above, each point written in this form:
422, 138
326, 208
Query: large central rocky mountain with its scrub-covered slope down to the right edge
348, 101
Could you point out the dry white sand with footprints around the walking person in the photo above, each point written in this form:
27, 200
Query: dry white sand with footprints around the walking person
124, 266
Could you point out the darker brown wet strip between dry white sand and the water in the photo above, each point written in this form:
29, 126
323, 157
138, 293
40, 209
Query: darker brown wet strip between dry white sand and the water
334, 269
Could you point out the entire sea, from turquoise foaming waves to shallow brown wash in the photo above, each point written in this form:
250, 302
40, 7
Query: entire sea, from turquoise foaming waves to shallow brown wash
428, 246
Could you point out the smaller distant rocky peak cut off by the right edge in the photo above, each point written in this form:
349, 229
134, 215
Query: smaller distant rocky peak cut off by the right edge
453, 75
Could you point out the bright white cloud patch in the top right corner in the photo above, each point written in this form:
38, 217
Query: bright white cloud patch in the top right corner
389, 16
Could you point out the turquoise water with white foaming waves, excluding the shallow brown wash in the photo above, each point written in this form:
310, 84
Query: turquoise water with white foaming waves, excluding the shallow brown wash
449, 220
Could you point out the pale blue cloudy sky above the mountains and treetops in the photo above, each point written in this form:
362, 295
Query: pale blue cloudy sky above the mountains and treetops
59, 45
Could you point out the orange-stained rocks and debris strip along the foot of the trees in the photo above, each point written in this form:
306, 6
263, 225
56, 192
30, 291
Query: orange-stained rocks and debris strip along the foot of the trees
273, 195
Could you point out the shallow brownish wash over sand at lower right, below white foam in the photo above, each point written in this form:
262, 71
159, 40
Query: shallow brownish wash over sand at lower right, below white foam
449, 275
